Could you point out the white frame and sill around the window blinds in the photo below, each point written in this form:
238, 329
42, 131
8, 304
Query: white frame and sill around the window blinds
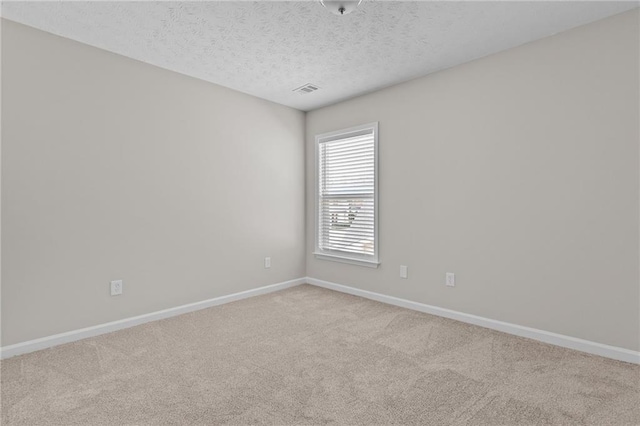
336, 255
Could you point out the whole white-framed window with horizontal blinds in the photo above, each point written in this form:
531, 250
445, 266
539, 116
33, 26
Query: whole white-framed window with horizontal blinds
347, 195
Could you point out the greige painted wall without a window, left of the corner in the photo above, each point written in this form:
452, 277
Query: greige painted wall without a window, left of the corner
114, 169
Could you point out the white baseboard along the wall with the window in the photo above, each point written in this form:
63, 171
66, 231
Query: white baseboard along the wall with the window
582, 345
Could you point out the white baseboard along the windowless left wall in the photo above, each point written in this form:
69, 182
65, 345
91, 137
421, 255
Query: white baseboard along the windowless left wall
83, 333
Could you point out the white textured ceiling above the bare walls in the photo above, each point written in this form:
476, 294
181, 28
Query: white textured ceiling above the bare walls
267, 48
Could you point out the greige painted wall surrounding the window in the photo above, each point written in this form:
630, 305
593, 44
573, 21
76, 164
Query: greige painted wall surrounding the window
518, 172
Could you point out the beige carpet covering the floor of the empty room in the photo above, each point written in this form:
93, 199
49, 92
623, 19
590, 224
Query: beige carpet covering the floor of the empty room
312, 356
